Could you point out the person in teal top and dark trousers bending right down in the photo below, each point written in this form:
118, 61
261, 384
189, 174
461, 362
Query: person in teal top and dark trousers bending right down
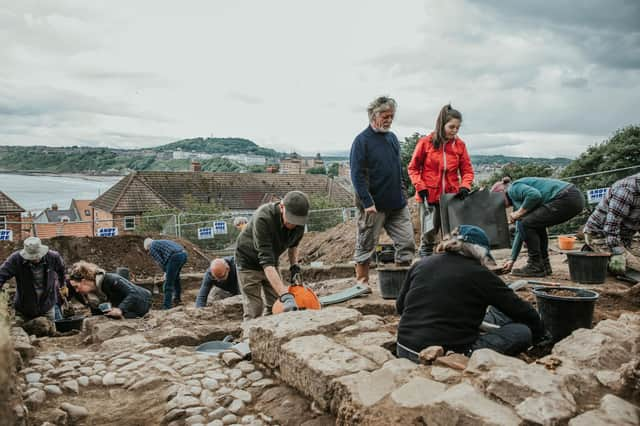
537, 204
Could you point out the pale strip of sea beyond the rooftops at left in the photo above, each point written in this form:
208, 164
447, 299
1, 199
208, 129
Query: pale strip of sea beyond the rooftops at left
35, 192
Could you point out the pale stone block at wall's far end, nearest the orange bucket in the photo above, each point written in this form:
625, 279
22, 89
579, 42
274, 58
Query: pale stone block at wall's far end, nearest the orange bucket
268, 334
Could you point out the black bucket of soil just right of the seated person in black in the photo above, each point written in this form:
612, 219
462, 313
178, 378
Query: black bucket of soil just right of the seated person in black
564, 314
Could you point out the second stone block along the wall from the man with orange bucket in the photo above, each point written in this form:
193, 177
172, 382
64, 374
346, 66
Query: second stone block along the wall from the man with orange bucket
311, 363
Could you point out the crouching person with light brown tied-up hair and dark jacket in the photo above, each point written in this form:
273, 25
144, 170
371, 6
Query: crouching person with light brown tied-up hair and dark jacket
123, 298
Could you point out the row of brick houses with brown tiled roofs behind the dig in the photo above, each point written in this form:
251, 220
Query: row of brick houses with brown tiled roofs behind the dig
123, 205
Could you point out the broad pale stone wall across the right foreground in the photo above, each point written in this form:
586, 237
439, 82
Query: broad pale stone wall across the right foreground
337, 358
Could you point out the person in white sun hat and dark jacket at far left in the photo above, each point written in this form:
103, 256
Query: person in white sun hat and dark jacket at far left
39, 273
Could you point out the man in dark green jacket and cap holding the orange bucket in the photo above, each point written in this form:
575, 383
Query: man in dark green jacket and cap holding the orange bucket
274, 228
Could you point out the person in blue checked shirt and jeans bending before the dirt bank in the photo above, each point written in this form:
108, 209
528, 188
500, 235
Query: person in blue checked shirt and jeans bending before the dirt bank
171, 257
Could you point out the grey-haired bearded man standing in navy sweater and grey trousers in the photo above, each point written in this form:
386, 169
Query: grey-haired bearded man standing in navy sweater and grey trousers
376, 174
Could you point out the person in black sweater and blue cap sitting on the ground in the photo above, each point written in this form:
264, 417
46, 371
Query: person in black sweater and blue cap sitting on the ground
445, 298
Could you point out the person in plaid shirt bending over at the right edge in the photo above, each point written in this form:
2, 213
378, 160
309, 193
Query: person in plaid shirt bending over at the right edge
614, 222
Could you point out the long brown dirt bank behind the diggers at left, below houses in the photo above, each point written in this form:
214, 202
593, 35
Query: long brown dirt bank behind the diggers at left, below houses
110, 253
